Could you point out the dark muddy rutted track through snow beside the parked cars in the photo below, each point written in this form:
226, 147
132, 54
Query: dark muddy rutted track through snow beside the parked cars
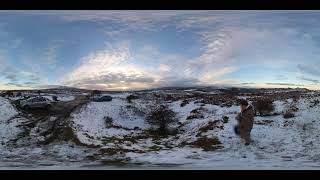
53, 123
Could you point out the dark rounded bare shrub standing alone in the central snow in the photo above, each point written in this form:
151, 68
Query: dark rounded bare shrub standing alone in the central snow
161, 116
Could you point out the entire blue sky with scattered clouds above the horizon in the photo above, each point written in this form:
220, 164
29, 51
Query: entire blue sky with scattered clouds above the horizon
129, 50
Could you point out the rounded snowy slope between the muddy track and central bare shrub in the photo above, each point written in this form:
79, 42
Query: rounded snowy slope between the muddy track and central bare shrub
89, 122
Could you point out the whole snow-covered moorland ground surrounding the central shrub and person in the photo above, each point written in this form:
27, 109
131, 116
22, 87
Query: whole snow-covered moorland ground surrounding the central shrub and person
117, 131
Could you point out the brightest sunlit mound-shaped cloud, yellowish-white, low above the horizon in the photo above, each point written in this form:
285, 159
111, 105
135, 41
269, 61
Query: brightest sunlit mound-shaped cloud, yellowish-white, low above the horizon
109, 69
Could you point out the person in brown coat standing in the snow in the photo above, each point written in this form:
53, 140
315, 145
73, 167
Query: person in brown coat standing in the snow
245, 121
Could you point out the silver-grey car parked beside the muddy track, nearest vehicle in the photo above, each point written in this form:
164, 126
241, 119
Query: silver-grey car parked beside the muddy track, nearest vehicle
37, 102
